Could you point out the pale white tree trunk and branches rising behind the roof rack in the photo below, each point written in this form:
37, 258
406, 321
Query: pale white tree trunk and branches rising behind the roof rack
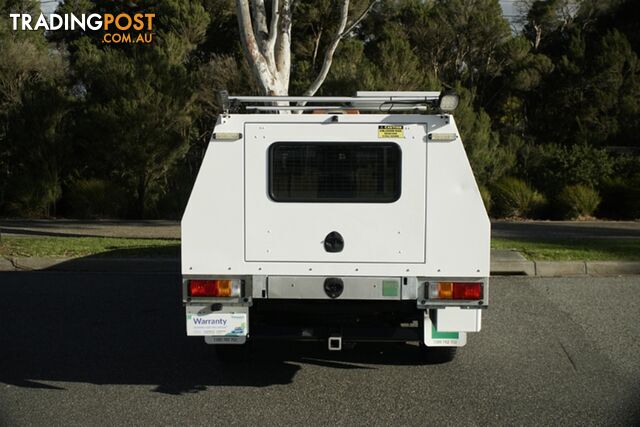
267, 45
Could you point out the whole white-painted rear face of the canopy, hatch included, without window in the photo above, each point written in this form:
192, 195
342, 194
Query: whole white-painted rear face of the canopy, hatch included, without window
453, 226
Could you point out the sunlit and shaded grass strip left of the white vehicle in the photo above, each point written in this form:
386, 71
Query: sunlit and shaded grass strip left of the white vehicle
75, 247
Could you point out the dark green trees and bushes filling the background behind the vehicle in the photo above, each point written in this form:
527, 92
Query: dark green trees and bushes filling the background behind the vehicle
79, 117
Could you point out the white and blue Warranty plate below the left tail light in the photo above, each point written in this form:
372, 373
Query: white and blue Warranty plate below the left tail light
215, 323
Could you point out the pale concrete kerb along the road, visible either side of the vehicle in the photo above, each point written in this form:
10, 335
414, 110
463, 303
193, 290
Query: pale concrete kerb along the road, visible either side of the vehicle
172, 265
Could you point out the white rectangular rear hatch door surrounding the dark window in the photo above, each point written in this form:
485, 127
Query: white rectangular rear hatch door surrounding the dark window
373, 232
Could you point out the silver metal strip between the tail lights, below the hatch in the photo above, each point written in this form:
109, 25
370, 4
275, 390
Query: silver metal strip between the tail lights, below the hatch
359, 288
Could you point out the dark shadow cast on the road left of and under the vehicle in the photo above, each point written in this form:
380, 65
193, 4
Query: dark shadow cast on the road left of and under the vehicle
107, 328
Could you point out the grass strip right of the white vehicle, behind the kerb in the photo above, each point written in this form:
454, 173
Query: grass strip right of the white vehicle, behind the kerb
574, 249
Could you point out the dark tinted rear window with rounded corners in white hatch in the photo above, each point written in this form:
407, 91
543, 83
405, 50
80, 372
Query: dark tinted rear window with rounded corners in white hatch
334, 172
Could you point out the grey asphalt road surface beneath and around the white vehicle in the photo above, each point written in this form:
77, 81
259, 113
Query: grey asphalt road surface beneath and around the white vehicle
95, 349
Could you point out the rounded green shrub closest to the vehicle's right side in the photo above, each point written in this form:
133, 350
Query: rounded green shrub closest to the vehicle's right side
513, 197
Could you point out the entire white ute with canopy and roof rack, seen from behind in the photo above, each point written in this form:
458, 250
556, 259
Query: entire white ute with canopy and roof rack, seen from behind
357, 219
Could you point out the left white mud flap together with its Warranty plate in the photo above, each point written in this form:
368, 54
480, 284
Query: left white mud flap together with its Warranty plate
230, 325
